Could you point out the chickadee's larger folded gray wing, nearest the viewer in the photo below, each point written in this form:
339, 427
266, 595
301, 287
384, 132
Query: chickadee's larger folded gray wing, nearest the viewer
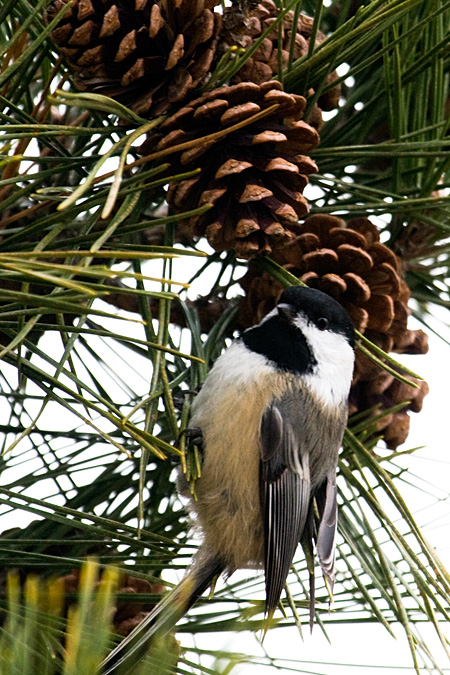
285, 493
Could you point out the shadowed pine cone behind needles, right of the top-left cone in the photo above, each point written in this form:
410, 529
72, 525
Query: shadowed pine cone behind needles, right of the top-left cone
244, 27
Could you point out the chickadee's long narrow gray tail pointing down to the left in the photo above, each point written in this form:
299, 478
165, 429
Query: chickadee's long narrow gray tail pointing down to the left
163, 617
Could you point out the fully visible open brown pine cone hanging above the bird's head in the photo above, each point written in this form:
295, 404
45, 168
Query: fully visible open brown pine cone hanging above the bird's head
254, 176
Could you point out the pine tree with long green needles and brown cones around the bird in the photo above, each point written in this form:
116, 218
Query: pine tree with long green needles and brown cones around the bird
168, 167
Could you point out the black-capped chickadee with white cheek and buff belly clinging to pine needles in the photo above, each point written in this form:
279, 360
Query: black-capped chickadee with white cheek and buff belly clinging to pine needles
269, 420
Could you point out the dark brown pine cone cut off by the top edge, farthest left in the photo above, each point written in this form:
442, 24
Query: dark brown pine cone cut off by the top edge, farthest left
147, 54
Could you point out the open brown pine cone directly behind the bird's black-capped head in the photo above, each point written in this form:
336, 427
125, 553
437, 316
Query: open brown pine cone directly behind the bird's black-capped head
347, 261
